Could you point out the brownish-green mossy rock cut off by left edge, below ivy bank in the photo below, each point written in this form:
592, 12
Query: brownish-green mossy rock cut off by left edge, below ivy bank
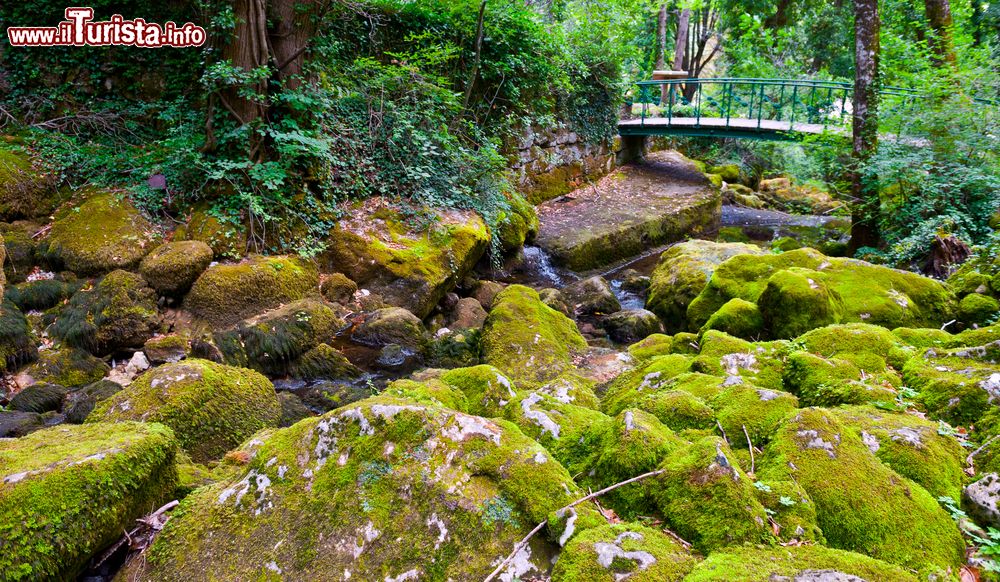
25, 192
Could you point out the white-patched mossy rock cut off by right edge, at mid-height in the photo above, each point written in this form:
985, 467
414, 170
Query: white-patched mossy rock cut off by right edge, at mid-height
957, 385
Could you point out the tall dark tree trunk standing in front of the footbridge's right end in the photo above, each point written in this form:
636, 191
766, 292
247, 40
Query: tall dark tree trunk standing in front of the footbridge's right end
865, 209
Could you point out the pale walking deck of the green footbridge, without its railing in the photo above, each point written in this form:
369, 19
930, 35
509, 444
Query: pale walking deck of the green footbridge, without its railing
718, 126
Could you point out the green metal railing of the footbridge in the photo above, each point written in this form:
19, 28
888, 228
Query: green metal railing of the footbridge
747, 103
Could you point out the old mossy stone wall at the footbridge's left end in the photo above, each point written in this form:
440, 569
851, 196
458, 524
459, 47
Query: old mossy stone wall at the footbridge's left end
549, 162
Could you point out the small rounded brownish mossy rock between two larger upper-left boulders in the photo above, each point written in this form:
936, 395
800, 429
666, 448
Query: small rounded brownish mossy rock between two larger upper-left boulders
172, 268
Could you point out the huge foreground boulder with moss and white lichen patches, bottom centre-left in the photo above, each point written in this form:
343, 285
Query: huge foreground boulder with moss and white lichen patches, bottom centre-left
387, 487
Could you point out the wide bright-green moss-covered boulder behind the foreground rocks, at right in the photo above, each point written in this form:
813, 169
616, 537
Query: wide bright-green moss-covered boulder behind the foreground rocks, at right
805, 290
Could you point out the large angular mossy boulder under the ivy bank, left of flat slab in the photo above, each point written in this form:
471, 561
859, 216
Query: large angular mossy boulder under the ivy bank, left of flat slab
409, 267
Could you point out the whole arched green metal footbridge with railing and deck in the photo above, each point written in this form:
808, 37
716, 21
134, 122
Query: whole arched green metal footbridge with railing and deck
772, 109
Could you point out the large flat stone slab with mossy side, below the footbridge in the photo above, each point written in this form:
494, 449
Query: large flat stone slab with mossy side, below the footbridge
663, 200
